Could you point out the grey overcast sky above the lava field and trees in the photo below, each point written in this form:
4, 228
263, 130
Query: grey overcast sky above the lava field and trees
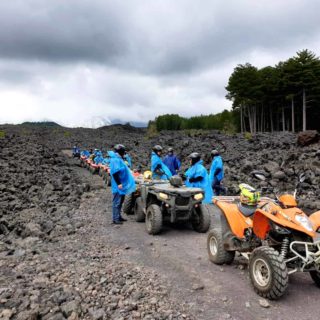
78, 61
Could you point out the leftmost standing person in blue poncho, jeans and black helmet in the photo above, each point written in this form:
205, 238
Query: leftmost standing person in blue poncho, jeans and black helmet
122, 181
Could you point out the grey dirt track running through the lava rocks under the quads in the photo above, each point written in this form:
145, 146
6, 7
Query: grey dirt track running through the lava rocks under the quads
179, 256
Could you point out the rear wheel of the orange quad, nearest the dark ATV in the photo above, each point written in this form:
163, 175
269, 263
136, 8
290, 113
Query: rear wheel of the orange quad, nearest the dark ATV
215, 247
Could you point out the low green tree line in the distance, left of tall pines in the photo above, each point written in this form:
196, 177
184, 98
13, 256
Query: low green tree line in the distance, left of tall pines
226, 121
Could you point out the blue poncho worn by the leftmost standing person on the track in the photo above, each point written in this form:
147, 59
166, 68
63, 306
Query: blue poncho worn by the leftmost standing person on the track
127, 180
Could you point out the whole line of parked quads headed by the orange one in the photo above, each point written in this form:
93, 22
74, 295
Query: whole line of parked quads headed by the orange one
276, 236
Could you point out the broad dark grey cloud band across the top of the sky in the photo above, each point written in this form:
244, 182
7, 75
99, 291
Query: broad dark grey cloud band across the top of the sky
154, 37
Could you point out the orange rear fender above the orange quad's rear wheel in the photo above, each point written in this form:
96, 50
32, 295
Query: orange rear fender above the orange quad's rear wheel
237, 221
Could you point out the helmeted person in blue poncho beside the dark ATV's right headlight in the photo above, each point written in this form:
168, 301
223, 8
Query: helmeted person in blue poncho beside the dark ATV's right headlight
197, 177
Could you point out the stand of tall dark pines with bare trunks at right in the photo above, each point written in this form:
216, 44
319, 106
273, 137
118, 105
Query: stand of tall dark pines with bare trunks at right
283, 97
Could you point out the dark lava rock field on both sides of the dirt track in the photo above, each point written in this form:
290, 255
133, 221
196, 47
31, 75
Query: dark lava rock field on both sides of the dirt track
54, 264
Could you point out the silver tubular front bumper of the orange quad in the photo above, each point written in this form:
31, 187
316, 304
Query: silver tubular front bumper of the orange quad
310, 257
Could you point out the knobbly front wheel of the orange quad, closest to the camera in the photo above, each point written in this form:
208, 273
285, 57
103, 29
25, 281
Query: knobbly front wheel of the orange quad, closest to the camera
268, 273
